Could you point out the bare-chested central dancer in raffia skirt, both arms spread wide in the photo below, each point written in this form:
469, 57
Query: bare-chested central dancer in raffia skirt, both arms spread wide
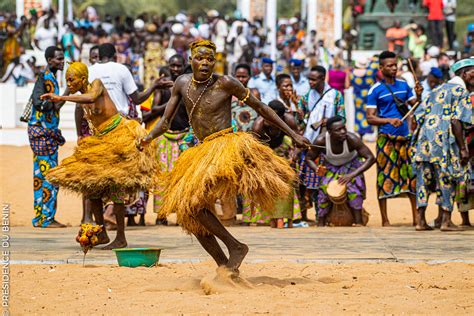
224, 164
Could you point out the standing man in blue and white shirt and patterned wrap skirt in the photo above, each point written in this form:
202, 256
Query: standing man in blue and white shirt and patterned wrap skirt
394, 171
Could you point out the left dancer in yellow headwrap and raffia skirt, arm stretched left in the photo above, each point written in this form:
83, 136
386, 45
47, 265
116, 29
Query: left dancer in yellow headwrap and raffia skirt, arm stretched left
106, 165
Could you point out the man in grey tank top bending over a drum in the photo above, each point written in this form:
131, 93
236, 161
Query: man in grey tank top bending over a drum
344, 157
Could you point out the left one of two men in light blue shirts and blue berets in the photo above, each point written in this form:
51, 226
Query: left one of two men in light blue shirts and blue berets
265, 82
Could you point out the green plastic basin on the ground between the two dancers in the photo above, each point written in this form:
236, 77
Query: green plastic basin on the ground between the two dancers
137, 257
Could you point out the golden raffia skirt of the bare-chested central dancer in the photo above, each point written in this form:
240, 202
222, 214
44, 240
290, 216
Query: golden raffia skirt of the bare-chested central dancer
224, 165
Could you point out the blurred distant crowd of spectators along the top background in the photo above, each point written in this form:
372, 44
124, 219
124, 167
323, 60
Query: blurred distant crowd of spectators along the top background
145, 42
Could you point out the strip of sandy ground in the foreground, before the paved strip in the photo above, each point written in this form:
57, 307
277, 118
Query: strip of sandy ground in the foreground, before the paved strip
266, 288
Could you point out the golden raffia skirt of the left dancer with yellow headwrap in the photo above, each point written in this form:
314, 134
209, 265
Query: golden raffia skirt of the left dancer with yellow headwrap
108, 163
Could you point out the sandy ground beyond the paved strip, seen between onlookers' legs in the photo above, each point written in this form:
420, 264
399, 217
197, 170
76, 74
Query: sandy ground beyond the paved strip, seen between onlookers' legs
16, 188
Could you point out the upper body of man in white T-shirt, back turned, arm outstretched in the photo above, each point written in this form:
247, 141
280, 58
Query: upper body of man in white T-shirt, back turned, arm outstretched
118, 80
